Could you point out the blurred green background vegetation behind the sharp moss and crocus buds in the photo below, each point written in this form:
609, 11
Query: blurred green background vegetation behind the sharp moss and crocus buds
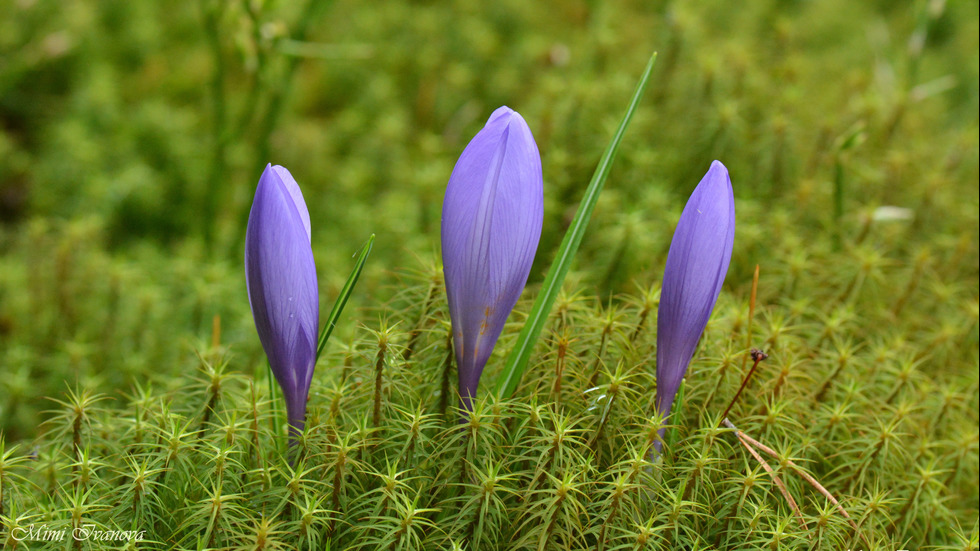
132, 135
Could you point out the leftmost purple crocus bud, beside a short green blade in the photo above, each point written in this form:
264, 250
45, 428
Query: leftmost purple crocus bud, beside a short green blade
282, 287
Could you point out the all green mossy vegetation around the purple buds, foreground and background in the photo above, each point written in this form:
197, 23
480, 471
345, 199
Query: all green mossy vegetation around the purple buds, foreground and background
134, 393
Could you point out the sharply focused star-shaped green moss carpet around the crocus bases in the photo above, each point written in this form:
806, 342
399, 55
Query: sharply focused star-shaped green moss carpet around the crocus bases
391, 466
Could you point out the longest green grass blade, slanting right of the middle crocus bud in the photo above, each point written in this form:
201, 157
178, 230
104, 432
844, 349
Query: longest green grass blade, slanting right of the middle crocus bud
517, 361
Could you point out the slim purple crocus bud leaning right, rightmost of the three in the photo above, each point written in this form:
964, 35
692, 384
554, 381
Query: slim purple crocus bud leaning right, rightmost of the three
696, 266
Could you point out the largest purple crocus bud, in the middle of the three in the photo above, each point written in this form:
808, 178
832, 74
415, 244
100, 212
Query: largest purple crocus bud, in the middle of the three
491, 223
